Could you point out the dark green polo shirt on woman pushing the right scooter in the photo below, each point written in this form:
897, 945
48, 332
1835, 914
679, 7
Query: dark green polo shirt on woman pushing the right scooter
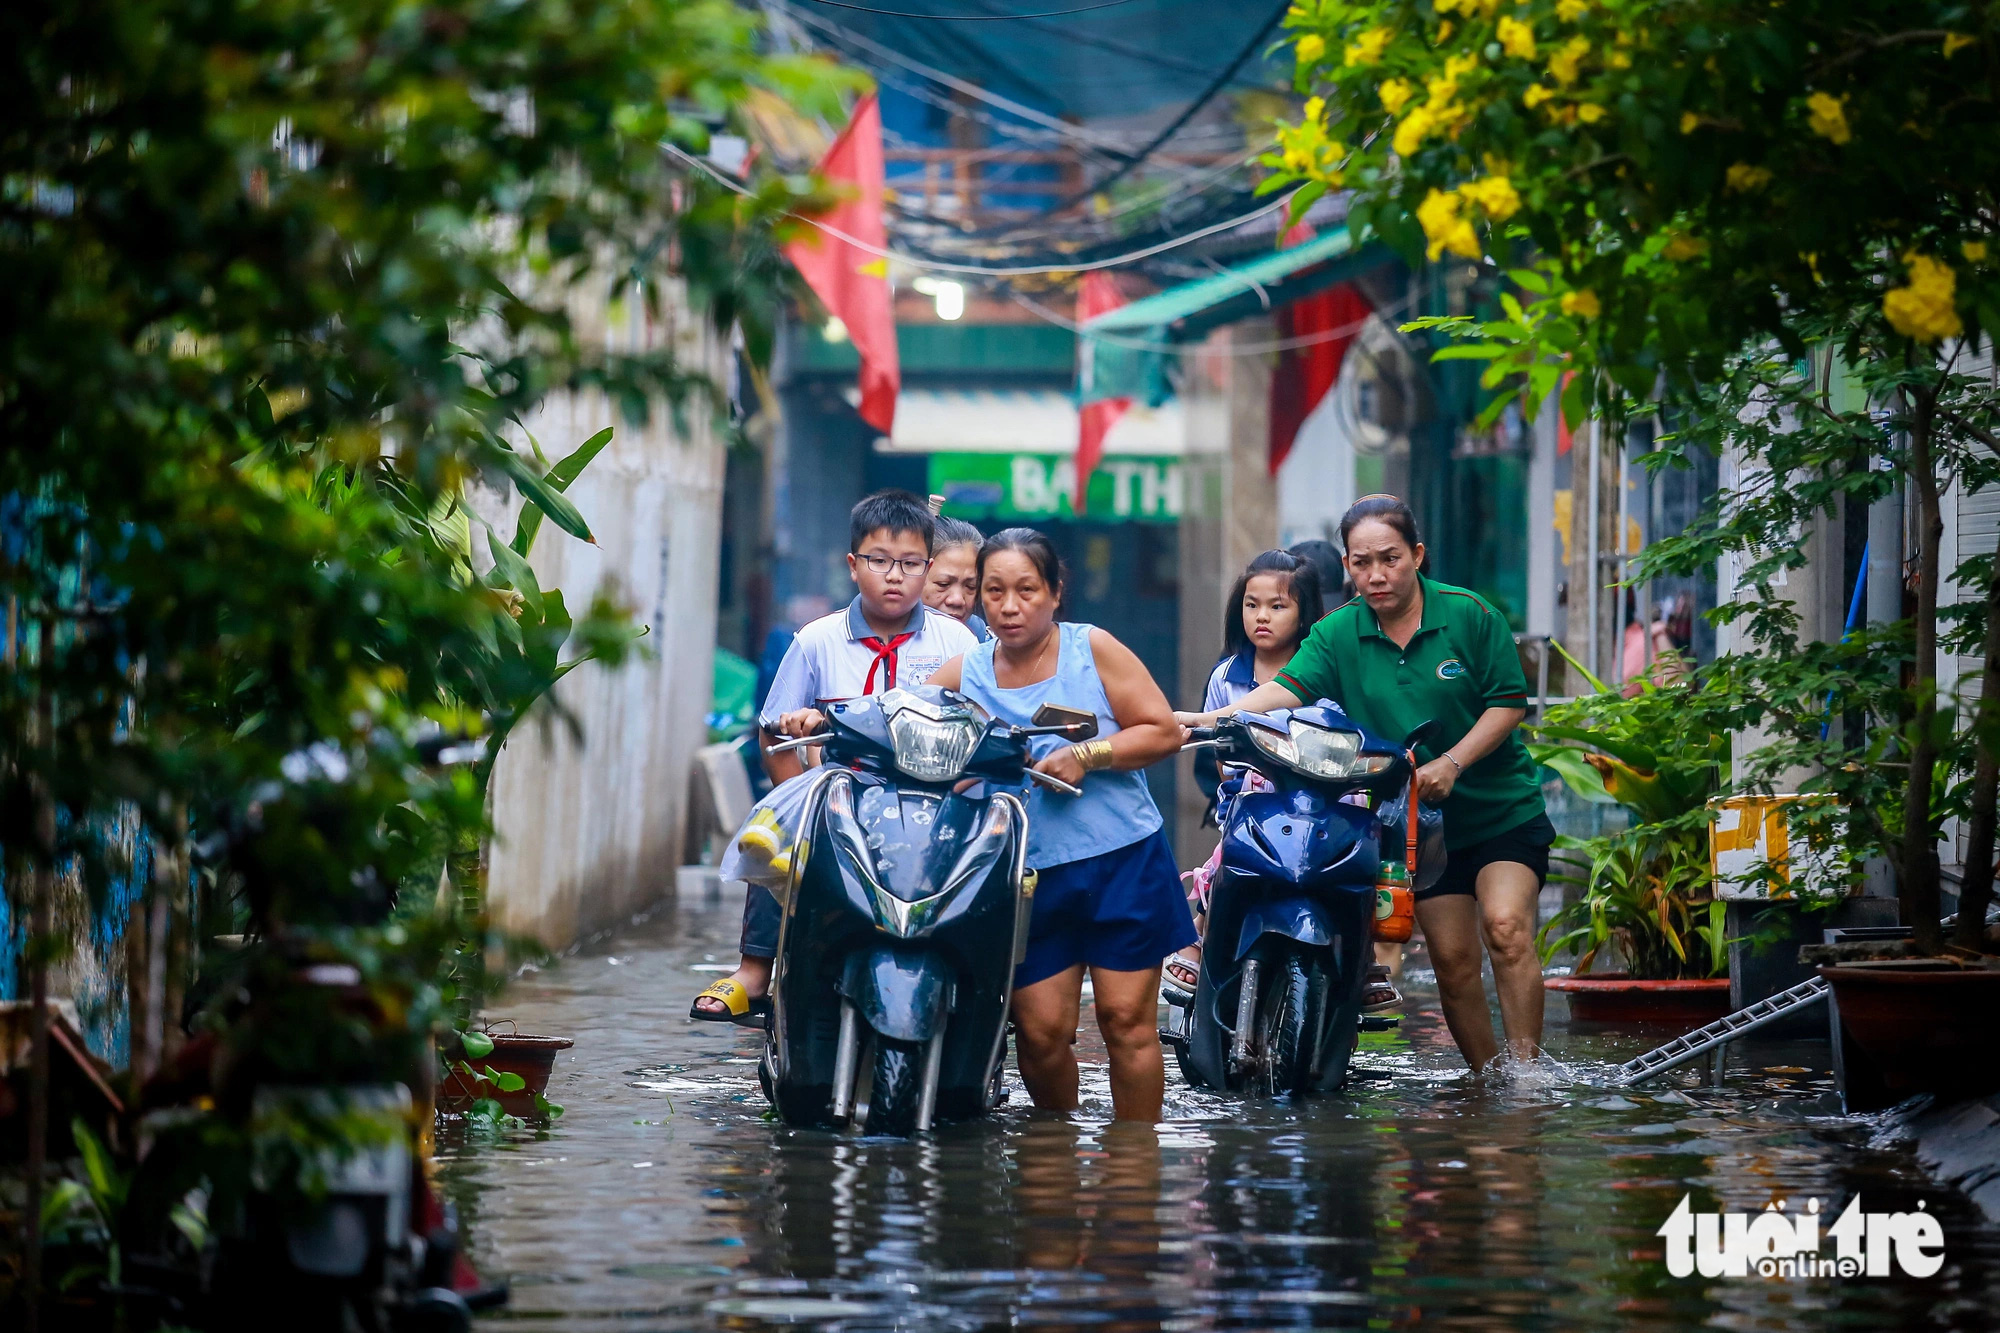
1459, 663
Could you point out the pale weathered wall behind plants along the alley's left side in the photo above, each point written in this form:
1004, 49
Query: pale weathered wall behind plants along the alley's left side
591, 828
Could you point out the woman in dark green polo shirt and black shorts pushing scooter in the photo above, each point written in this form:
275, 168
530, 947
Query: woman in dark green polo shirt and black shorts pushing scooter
1411, 651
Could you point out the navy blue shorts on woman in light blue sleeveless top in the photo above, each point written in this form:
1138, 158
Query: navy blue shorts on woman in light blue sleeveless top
1123, 912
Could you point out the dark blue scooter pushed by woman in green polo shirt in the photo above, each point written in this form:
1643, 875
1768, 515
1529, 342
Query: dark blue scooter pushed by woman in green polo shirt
1291, 916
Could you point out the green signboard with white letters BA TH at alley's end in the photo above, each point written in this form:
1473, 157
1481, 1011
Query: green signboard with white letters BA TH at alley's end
1045, 487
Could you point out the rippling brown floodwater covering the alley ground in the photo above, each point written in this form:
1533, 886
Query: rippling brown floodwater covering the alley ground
667, 1200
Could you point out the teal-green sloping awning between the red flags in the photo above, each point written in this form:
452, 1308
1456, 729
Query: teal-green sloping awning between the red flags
1129, 347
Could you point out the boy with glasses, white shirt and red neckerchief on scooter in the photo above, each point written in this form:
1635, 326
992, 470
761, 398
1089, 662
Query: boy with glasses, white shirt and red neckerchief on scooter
885, 639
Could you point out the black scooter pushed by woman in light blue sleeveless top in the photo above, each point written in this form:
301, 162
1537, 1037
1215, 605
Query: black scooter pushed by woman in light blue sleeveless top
905, 914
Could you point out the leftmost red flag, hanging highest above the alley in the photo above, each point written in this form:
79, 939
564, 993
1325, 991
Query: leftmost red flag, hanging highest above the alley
853, 279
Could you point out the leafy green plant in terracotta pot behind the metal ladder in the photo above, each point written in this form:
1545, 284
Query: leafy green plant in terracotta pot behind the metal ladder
1647, 890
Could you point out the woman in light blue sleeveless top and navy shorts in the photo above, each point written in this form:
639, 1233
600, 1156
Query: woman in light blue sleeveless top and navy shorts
1109, 896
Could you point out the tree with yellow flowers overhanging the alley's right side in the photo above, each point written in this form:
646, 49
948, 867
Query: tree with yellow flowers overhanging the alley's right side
1679, 185
